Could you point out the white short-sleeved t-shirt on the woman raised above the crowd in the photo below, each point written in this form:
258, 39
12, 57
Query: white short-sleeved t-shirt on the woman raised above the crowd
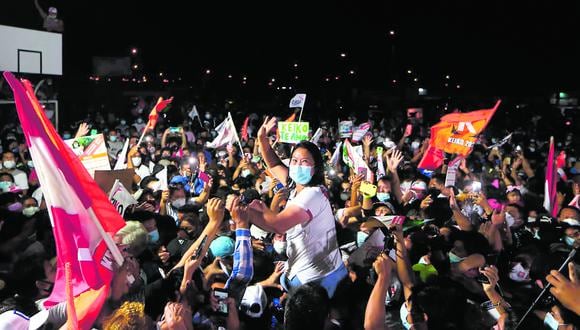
312, 247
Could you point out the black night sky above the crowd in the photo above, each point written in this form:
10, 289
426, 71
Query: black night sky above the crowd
494, 46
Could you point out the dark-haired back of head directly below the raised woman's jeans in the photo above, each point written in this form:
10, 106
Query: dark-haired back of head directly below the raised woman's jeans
307, 308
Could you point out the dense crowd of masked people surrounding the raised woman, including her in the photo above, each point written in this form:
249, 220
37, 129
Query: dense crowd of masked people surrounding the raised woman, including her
278, 236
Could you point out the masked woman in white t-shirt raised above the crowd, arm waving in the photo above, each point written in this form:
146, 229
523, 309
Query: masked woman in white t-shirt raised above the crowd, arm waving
307, 219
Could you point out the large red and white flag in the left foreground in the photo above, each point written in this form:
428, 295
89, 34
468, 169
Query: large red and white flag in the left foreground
82, 217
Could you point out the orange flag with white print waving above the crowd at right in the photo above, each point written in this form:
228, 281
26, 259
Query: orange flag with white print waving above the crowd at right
456, 133
